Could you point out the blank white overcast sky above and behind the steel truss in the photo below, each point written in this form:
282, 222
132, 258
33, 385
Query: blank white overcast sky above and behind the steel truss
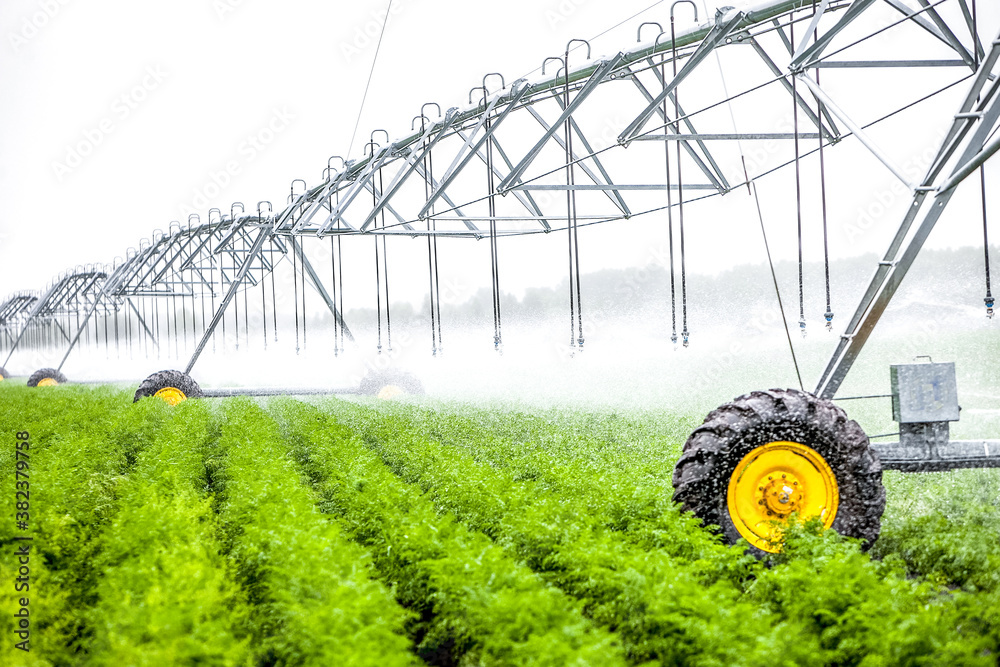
118, 116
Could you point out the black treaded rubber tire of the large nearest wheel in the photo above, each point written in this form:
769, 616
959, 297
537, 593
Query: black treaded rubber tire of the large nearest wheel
731, 431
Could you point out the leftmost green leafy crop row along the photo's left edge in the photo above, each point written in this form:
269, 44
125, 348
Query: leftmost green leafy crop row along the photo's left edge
82, 445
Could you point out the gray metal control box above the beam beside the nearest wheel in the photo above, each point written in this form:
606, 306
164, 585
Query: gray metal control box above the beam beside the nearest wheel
924, 393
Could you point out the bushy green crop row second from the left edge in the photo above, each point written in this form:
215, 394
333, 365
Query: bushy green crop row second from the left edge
165, 593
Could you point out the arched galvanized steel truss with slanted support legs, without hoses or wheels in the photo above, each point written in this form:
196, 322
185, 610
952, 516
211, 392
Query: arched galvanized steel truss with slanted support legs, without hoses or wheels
544, 131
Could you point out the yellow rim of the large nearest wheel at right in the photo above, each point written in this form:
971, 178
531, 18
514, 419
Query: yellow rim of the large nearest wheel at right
772, 482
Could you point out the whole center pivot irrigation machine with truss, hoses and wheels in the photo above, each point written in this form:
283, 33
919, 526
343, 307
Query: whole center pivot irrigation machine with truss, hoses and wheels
531, 157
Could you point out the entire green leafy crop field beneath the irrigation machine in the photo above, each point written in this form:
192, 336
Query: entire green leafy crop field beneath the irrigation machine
240, 532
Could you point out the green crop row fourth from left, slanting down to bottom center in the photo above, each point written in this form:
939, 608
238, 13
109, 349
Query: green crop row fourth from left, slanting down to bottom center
476, 604
